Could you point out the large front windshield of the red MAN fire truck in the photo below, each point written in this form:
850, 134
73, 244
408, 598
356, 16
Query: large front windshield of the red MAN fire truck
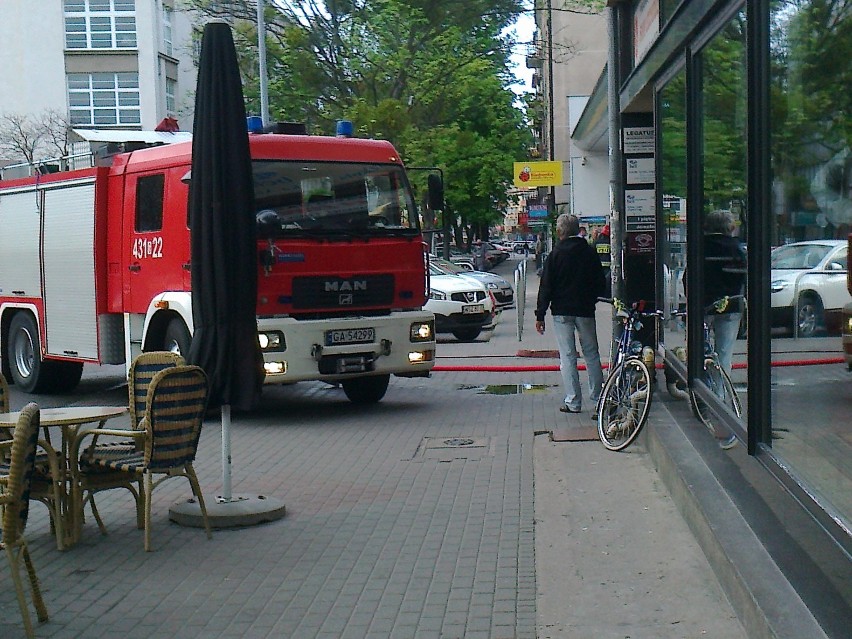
333, 198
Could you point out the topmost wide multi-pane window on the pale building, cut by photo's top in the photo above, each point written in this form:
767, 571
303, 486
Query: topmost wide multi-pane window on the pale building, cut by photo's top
100, 24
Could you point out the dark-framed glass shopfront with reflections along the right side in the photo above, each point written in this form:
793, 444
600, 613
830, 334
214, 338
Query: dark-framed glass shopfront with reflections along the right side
739, 111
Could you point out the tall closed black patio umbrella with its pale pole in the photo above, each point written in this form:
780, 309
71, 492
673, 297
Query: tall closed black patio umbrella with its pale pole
223, 235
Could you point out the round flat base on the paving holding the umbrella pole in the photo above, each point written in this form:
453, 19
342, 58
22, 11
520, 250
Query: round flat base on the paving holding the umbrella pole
240, 510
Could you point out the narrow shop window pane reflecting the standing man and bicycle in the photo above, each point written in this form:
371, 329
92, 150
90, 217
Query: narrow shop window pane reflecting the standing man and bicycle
723, 108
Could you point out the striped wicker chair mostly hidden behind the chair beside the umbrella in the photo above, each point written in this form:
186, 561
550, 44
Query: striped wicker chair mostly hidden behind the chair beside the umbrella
142, 371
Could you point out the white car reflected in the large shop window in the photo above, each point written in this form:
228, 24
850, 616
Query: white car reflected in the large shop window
809, 286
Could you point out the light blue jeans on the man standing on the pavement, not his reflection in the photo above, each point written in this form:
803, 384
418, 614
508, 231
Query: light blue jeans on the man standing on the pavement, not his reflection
564, 326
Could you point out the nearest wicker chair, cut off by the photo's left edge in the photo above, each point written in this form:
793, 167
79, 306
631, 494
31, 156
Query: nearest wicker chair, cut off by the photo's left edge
16, 500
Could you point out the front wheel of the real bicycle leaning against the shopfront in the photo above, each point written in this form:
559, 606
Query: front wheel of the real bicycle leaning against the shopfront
624, 405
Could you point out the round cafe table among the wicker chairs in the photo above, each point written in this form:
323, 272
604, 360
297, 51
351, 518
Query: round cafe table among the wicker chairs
70, 421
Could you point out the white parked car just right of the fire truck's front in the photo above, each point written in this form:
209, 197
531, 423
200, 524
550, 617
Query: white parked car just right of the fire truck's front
462, 306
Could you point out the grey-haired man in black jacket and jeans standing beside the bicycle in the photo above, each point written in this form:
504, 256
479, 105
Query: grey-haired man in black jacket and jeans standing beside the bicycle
571, 282
